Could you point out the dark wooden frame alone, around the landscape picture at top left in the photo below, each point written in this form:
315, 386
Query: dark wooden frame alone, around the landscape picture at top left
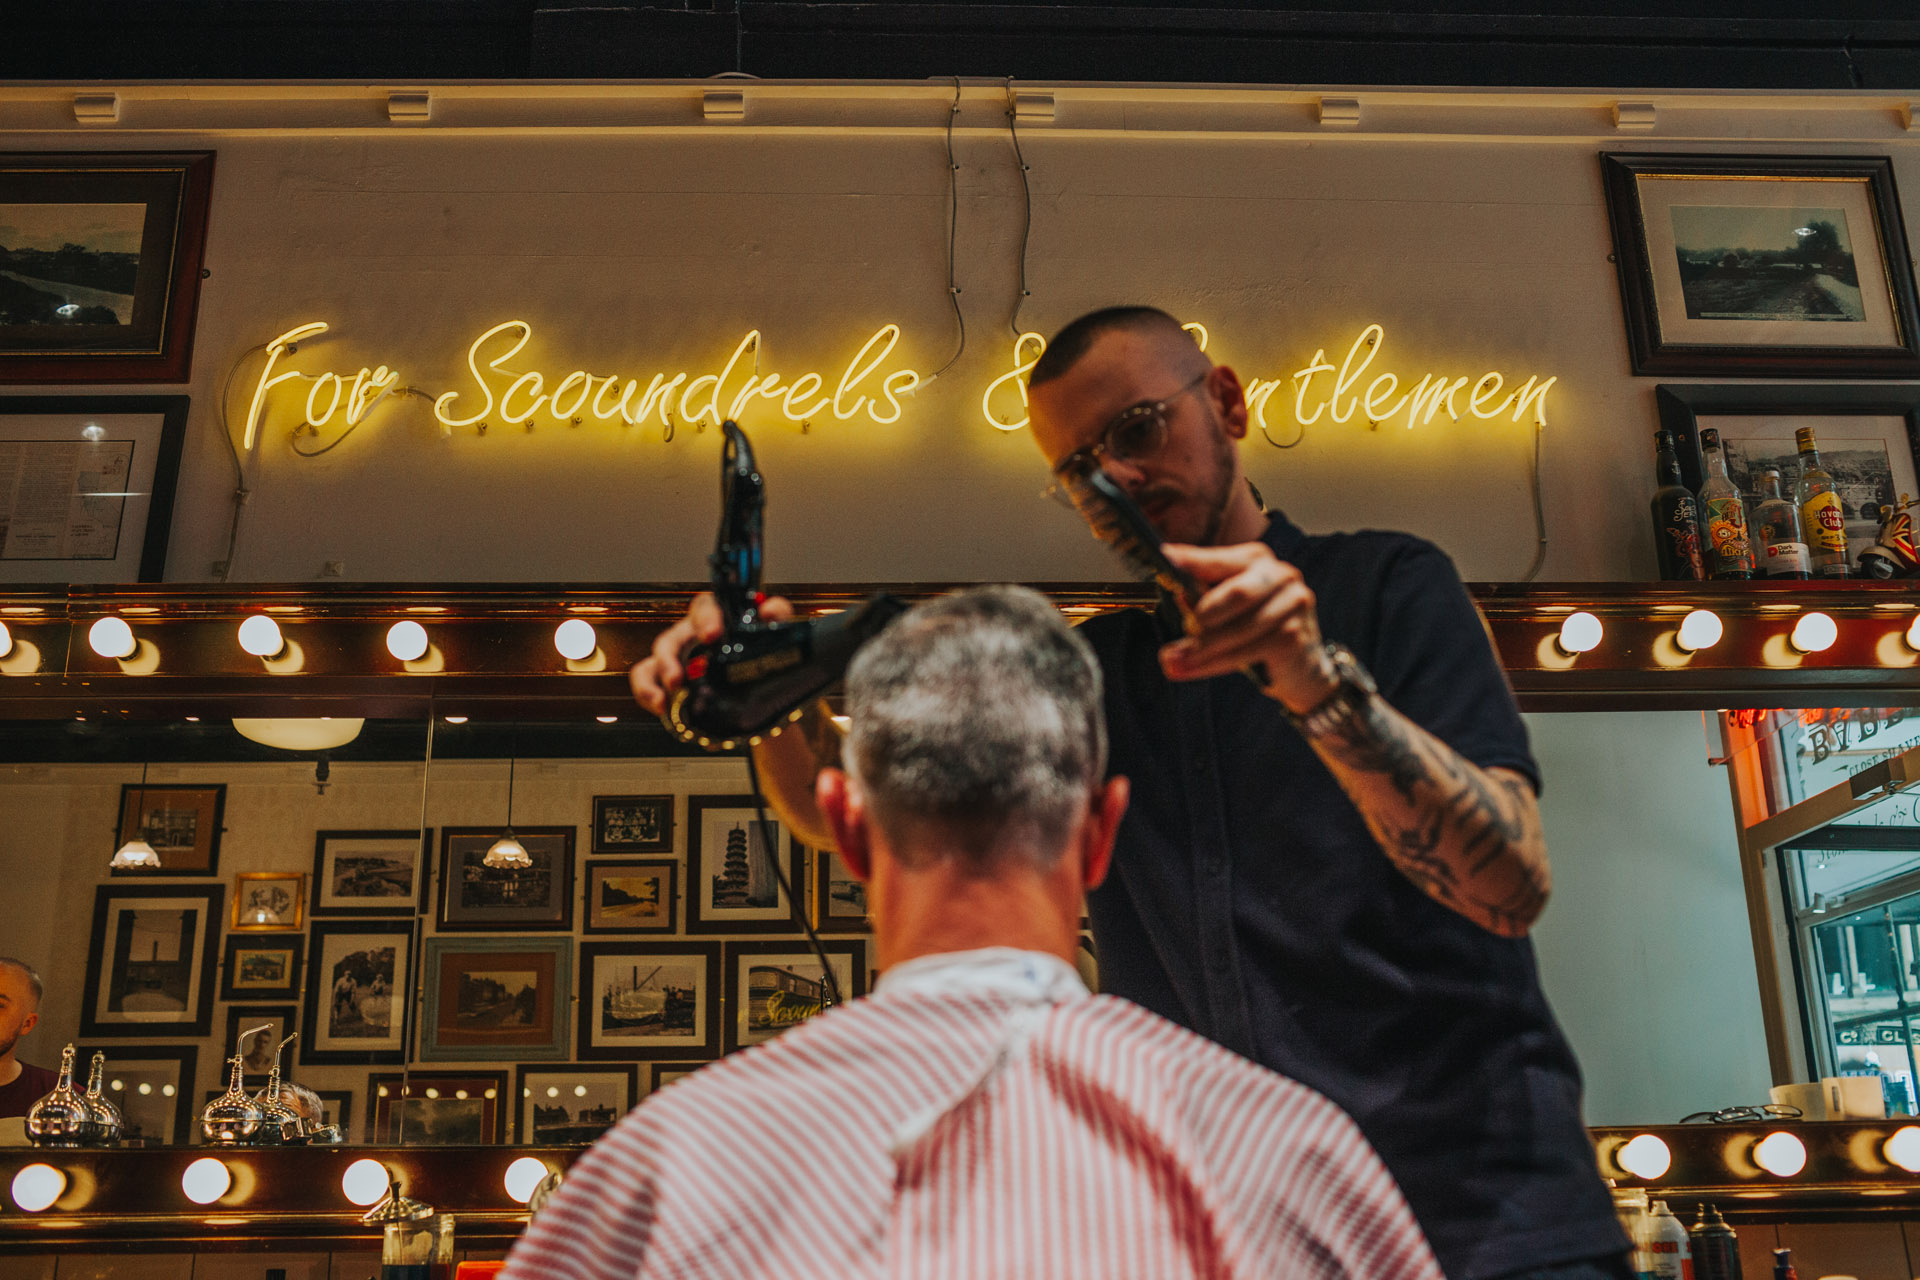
156, 341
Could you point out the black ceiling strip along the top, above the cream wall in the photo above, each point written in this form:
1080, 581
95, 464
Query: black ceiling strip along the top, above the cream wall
1497, 43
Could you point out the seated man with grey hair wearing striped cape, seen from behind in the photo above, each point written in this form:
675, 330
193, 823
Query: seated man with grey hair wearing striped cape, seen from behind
982, 1114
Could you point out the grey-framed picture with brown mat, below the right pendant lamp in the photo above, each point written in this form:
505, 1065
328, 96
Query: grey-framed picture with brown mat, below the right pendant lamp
492, 999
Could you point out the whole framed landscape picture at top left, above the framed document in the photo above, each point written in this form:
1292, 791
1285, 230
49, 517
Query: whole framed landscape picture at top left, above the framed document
101, 264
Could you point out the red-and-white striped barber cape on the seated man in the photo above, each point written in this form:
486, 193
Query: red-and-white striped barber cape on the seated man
982, 1116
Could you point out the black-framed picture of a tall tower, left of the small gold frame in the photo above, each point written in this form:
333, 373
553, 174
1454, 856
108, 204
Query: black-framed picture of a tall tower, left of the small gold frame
151, 960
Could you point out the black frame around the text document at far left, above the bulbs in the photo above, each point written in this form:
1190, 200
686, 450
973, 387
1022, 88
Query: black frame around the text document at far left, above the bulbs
147, 557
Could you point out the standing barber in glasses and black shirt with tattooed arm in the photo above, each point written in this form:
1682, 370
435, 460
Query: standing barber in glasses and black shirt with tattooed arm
1333, 872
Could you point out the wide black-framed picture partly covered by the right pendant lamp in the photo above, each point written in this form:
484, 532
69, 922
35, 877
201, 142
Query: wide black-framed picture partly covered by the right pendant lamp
477, 897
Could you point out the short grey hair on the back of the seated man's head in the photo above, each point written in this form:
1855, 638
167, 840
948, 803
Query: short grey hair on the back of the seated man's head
978, 713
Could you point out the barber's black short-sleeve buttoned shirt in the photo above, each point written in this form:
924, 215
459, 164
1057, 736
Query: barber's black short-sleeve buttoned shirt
1251, 903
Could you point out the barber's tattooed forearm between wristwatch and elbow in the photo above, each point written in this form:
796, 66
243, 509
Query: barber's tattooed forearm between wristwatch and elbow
1468, 838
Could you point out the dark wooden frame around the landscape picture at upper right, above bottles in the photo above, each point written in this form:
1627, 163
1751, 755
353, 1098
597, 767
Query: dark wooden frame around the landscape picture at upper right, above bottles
1658, 356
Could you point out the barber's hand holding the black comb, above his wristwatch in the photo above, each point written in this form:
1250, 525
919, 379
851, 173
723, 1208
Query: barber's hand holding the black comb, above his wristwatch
1257, 609
